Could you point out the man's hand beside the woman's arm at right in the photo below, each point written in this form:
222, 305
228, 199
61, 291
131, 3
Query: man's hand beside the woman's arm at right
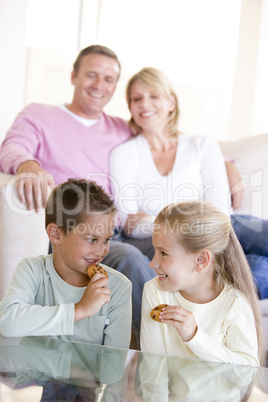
235, 183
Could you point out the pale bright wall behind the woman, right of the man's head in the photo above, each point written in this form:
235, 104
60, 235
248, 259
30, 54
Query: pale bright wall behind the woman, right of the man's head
194, 42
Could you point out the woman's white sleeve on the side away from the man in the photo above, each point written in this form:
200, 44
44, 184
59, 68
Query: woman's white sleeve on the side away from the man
214, 176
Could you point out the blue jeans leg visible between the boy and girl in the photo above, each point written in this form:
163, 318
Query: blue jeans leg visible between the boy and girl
131, 262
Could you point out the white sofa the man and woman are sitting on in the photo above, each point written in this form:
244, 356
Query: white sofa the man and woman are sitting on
22, 232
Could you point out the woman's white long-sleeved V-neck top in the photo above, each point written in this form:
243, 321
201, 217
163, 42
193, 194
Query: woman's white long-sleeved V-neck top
198, 173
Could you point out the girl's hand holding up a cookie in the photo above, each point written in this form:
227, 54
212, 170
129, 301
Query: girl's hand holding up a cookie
181, 319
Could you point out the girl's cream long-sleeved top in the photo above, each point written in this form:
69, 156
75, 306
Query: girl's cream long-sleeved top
226, 327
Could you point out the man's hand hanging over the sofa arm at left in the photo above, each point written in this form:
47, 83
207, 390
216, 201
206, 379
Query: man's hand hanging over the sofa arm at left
32, 185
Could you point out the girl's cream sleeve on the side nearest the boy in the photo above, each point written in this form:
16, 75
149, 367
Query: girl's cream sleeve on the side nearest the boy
152, 336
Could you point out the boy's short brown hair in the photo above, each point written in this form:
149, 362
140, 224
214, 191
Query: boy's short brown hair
75, 200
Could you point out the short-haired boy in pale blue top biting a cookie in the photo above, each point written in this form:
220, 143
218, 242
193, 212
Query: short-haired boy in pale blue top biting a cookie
52, 295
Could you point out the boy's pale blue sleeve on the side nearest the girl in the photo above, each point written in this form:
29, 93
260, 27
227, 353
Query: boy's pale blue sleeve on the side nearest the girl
118, 330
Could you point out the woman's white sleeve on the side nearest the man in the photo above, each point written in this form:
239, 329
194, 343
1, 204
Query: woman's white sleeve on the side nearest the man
125, 190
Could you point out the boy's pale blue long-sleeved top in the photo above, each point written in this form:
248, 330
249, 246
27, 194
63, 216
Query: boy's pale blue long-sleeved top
39, 302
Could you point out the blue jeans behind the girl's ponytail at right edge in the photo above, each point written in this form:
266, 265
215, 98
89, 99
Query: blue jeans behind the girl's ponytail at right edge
252, 234
